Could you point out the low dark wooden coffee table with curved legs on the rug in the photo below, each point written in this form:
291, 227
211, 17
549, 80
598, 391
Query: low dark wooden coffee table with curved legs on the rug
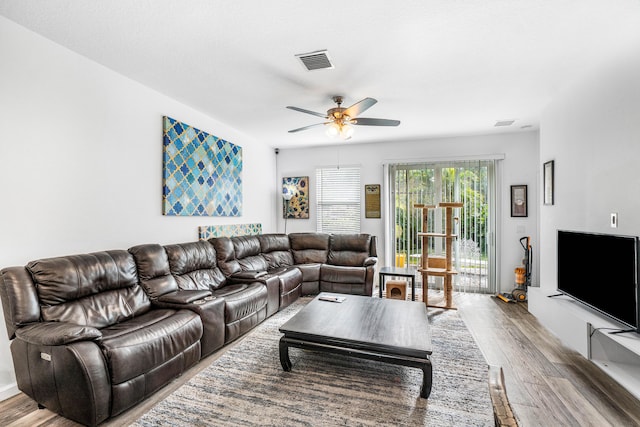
387, 330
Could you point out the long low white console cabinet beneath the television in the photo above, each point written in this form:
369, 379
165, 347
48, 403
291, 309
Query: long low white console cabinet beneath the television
588, 332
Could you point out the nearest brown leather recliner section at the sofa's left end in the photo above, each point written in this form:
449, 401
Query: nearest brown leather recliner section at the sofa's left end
87, 342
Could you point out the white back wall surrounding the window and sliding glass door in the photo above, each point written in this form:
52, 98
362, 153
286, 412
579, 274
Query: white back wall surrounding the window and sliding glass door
520, 166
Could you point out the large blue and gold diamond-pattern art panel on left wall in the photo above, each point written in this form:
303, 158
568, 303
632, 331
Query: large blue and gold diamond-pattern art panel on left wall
202, 173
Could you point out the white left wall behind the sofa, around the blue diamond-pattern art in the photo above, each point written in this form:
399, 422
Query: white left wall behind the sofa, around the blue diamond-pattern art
81, 150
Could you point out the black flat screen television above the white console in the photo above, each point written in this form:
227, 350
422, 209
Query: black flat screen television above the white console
601, 271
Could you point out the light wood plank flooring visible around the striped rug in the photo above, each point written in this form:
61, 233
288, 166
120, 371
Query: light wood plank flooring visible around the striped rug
547, 383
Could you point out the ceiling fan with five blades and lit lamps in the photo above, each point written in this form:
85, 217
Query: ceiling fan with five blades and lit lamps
340, 120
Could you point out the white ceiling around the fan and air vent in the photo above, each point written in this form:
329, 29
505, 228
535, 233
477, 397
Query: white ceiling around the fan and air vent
442, 67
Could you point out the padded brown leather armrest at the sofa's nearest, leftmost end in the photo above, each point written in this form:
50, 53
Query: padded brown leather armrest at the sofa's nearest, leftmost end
57, 333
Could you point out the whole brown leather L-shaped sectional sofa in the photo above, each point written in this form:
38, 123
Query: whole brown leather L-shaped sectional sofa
94, 334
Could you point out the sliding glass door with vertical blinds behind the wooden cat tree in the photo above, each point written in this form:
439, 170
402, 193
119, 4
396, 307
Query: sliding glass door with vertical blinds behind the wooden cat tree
469, 182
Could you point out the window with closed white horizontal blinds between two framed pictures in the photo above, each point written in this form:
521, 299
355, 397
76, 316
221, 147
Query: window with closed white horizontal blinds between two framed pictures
338, 200
